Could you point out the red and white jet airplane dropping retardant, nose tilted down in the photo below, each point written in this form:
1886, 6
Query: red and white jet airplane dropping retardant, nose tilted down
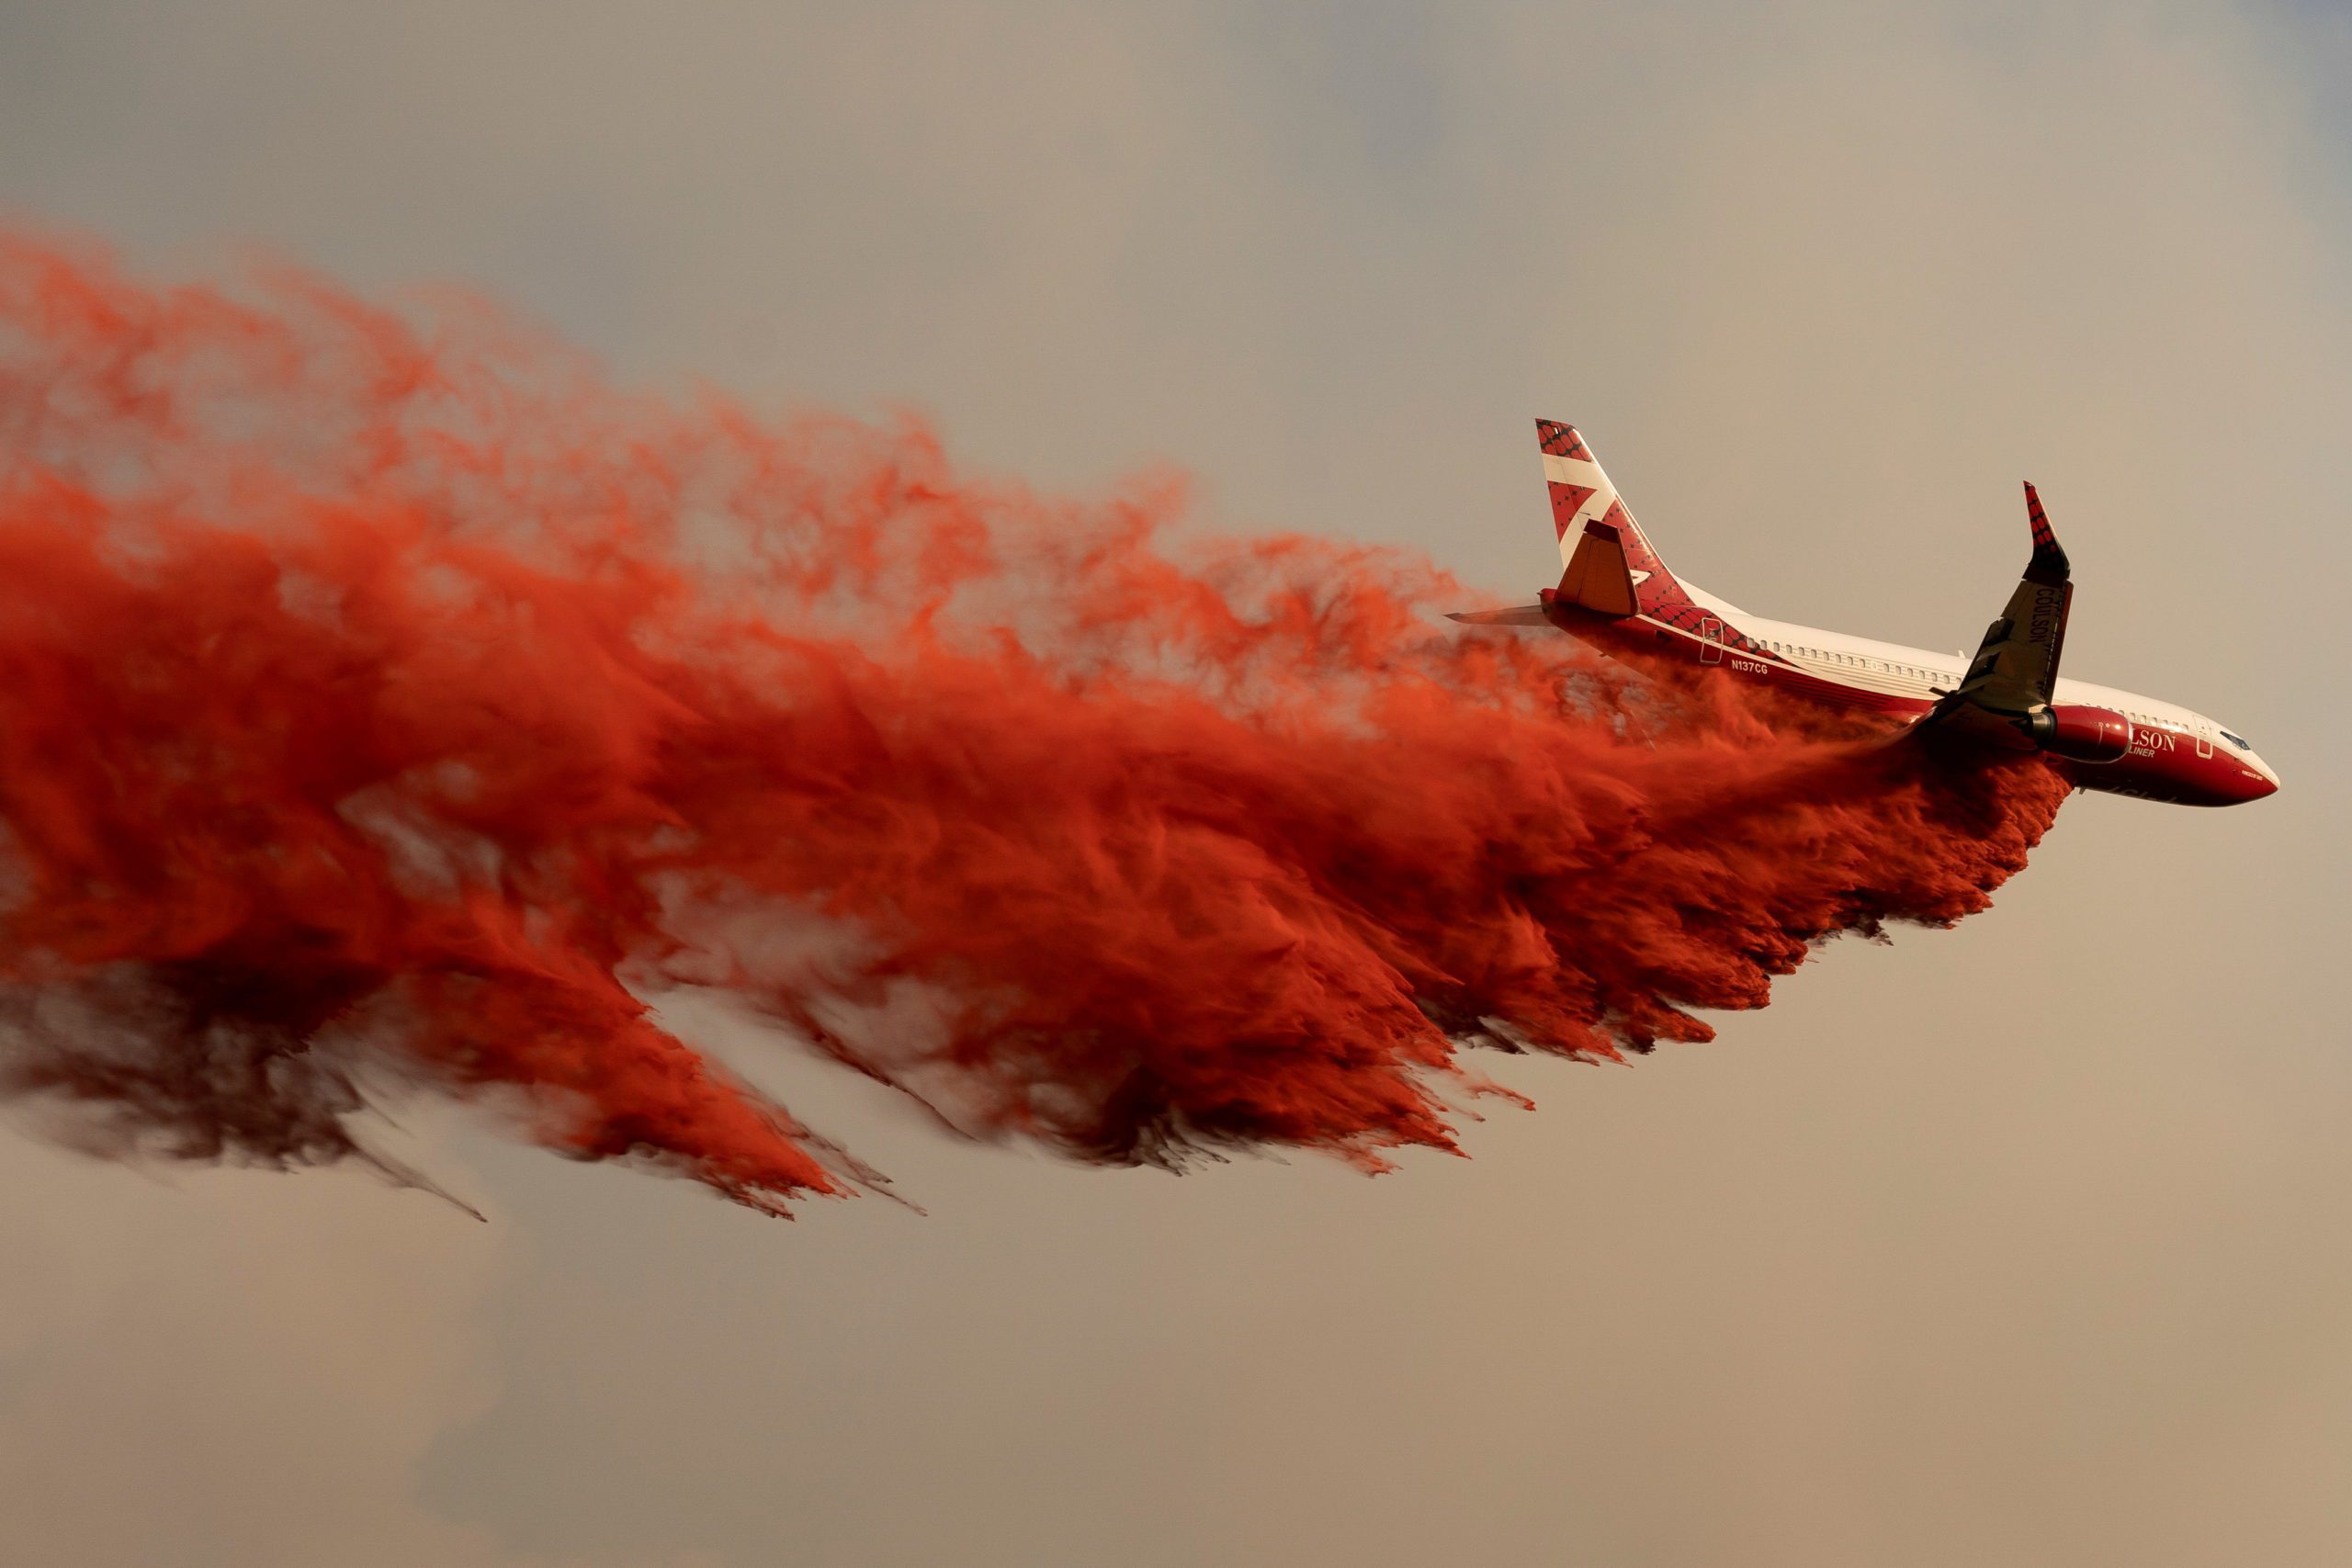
1619, 596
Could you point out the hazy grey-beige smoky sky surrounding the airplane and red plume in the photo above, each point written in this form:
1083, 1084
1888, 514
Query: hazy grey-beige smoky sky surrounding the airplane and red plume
2010, 1245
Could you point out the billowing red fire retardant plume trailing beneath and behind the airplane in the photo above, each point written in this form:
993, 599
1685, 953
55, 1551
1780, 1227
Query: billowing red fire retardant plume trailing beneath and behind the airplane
392, 706
